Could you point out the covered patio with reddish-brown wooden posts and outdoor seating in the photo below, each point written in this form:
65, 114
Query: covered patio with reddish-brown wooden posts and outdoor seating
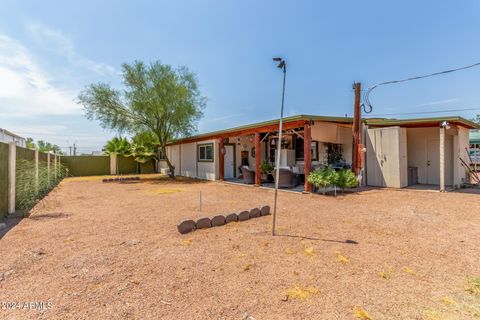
248, 156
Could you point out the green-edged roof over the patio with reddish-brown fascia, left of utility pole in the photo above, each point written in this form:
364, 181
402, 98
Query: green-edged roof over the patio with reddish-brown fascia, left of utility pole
265, 126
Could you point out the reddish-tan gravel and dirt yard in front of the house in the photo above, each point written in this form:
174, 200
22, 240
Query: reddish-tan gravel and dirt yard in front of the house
94, 250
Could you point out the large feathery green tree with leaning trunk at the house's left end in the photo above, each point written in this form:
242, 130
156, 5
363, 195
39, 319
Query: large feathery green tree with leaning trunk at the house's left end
157, 98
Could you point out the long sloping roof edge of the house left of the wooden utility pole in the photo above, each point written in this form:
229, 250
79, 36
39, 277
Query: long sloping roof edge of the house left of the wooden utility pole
259, 125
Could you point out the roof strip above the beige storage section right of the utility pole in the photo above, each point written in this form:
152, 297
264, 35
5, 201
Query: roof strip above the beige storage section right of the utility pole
421, 122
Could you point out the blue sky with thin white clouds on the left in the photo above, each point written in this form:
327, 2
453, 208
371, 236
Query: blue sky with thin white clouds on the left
50, 50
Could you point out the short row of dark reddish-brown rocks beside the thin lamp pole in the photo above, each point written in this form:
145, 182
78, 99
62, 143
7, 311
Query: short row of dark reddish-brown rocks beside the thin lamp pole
220, 220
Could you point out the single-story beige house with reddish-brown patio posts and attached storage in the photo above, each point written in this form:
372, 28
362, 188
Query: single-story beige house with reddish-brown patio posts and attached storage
394, 149
